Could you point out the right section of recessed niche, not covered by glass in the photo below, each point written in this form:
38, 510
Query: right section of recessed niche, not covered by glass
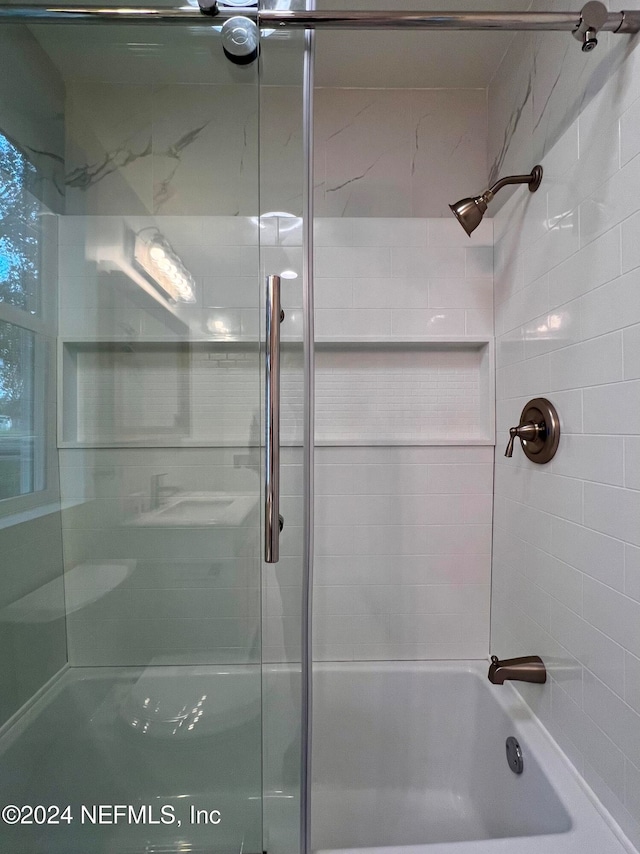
404, 393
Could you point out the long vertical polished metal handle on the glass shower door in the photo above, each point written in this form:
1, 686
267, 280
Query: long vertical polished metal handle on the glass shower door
273, 521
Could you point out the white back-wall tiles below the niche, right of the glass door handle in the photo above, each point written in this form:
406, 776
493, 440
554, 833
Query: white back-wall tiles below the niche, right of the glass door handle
402, 555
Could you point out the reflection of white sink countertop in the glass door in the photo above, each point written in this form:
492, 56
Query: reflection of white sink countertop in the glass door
199, 509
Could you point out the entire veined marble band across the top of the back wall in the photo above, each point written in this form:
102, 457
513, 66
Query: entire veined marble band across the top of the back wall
136, 149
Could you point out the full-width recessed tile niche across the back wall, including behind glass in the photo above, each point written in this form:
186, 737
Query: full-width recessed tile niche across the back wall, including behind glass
206, 394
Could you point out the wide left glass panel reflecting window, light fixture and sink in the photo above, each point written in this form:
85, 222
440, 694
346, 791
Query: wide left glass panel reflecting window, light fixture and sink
141, 146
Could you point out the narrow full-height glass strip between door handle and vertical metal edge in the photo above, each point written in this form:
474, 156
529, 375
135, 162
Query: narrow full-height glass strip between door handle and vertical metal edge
282, 174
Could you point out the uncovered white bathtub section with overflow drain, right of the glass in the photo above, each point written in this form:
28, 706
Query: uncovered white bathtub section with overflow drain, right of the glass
411, 757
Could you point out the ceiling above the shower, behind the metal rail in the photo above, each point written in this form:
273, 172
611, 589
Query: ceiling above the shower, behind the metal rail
146, 53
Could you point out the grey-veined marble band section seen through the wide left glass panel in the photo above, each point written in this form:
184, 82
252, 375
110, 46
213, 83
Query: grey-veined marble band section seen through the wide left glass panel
171, 150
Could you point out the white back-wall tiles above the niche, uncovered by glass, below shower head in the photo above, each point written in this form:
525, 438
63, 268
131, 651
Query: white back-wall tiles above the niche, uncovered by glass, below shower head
387, 278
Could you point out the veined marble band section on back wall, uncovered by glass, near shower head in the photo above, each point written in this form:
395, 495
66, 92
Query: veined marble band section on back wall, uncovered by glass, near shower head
397, 153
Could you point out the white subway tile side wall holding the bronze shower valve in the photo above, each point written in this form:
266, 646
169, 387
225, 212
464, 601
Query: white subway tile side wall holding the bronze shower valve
566, 567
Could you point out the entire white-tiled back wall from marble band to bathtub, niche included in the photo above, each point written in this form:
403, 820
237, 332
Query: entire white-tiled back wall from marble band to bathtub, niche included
403, 528
